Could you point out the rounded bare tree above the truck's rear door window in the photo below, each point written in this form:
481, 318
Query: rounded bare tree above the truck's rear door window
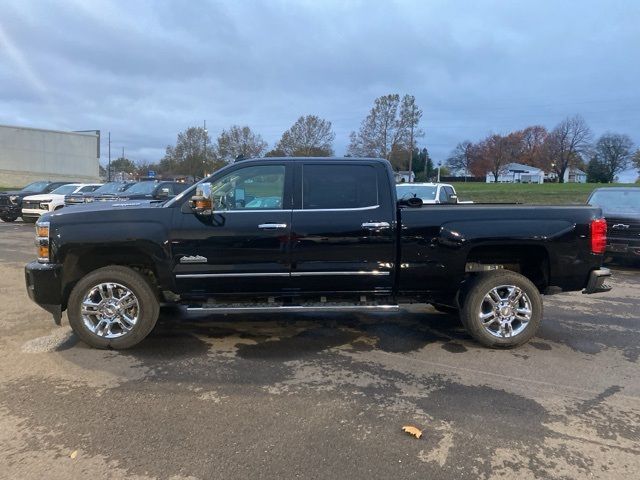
309, 136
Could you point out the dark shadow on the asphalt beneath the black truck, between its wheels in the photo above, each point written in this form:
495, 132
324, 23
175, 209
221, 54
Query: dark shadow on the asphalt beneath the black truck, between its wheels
291, 336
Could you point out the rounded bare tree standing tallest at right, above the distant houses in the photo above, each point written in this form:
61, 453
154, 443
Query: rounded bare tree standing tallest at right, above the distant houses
566, 144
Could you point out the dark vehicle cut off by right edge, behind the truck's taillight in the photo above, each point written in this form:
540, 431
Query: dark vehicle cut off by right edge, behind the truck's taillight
621, 208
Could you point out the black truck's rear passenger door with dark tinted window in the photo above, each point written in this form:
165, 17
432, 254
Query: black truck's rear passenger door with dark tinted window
343, 236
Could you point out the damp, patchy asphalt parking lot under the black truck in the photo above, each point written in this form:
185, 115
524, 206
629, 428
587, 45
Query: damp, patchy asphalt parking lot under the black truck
320, 396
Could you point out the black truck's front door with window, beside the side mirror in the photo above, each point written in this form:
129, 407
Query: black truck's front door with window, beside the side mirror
243, 247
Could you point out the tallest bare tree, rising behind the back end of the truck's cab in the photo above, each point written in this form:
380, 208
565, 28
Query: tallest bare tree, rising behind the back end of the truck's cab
391, 126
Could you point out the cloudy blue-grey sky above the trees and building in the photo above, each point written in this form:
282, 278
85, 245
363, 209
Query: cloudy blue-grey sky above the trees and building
146, 70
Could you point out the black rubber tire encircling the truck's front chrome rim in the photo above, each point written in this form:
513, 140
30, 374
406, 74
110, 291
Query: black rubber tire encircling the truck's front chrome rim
149, 308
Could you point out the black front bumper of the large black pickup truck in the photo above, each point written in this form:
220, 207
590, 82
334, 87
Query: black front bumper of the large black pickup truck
44, 286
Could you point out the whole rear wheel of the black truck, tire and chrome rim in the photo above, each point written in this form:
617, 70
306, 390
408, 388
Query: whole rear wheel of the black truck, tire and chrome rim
502, 309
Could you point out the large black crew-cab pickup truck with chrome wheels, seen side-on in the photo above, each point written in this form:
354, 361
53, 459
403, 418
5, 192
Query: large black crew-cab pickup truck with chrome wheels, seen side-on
299, 234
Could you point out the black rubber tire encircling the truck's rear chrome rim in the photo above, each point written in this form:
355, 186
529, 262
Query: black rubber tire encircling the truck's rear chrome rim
474, 303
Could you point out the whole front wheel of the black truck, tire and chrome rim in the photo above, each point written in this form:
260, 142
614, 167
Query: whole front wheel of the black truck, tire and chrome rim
113, 307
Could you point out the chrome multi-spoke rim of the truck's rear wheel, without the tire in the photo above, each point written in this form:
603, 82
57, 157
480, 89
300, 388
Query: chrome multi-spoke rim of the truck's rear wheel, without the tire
505, 311
